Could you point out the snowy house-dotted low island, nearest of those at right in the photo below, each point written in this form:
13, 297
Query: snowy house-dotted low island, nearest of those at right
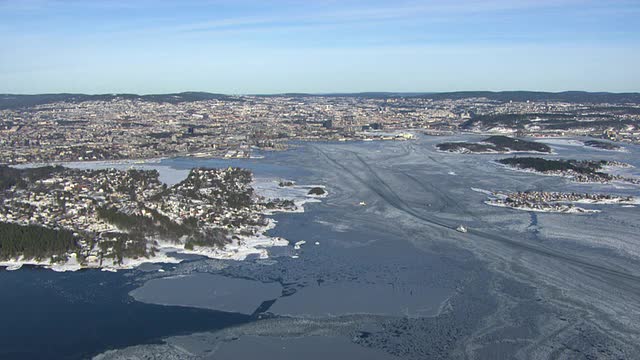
556, 202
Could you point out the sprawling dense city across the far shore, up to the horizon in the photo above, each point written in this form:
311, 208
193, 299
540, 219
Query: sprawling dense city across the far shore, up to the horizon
80, 127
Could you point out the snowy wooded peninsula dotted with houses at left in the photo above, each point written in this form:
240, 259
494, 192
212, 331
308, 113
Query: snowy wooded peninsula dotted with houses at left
70, 219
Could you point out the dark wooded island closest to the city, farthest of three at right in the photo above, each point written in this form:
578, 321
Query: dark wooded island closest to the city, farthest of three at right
494, 144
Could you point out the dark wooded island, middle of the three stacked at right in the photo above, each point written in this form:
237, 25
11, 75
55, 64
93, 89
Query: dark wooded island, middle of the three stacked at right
583, 171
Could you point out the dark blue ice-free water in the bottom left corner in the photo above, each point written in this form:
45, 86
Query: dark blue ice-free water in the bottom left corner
49, 315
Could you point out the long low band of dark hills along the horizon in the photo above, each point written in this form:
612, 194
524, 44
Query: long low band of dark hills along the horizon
11, 101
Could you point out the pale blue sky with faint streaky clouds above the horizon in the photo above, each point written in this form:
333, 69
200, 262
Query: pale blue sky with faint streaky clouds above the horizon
251, 46
